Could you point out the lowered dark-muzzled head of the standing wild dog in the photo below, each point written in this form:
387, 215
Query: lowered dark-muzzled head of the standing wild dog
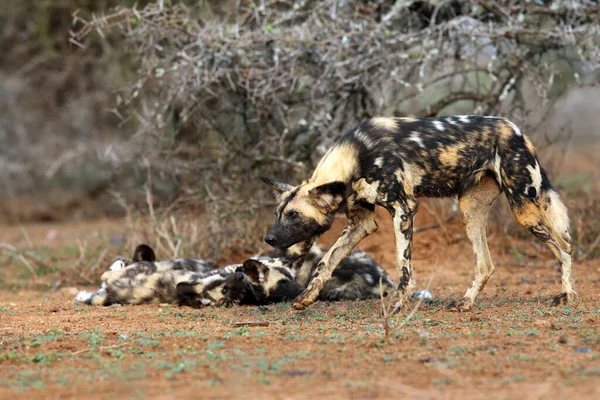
304, 211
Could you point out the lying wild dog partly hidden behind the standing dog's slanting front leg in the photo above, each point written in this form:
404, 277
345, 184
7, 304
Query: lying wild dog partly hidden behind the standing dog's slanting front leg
284, 275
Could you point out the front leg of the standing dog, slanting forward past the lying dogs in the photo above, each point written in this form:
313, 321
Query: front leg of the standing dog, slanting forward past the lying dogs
360, 225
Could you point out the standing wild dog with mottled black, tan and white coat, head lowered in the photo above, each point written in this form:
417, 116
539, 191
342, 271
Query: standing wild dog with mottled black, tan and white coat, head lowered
392, 161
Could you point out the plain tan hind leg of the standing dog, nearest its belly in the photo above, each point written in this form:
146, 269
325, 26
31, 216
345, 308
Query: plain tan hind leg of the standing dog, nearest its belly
475, 206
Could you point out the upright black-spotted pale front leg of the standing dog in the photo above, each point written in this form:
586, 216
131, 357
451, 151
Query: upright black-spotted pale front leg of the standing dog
403, 213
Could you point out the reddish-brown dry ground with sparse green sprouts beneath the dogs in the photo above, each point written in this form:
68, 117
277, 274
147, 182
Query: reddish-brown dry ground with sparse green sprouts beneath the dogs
512, 344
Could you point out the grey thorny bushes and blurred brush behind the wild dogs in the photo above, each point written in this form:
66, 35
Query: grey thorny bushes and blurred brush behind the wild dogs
166, 110
